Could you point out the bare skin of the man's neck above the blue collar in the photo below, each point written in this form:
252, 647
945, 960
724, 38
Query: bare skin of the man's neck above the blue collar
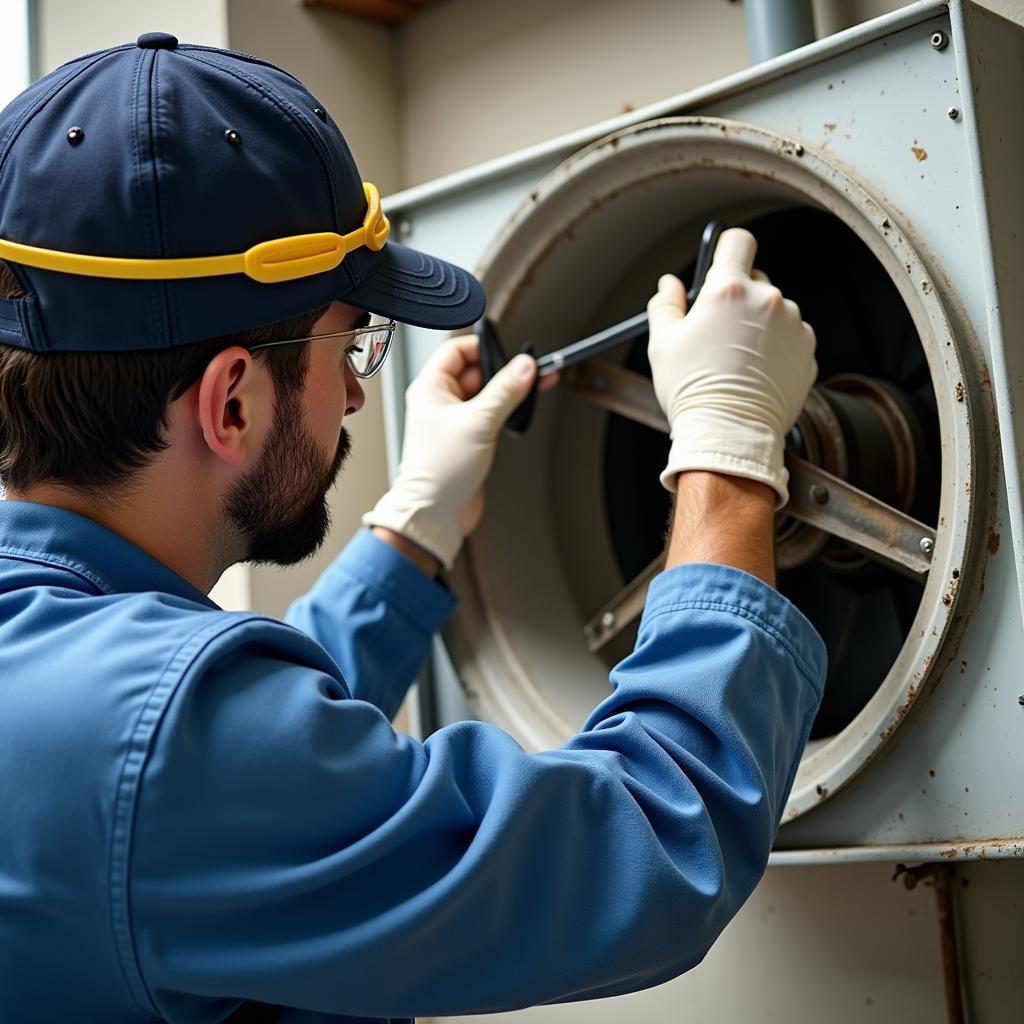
166, 521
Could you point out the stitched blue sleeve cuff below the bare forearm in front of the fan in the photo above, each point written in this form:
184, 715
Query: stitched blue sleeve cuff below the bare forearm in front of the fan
710, 587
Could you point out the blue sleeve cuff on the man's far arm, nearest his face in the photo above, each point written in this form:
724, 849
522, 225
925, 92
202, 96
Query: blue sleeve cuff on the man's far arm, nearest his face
377, 565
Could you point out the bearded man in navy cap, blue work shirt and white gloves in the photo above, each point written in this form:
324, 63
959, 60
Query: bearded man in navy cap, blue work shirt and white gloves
207, 816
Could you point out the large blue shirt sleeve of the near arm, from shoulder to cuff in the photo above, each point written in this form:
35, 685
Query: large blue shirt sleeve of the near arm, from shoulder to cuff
291, 848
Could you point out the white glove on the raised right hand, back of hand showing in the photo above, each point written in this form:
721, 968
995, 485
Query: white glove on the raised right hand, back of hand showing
733, 375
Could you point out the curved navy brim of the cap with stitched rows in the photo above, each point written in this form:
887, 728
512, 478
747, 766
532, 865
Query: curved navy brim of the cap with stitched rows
413, 288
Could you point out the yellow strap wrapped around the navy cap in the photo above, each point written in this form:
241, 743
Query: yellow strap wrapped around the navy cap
268, 263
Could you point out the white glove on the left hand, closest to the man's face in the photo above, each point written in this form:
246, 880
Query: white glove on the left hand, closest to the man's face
452, 430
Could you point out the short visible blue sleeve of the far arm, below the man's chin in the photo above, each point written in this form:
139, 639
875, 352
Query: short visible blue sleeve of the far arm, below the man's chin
375, 613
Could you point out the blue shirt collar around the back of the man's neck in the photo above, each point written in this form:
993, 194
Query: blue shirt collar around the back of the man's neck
53, 536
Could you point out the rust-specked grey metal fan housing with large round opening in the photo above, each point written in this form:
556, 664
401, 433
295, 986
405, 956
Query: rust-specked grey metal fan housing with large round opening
880, 170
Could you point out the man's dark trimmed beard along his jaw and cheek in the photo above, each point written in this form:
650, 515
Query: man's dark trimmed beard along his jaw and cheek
280, 507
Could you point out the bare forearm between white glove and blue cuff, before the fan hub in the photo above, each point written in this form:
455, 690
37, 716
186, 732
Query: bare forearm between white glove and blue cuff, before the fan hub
728, 521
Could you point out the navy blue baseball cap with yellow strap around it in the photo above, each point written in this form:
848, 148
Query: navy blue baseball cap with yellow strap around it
159, 194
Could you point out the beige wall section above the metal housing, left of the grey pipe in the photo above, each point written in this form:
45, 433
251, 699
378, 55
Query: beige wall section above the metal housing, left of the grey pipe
481, 79
